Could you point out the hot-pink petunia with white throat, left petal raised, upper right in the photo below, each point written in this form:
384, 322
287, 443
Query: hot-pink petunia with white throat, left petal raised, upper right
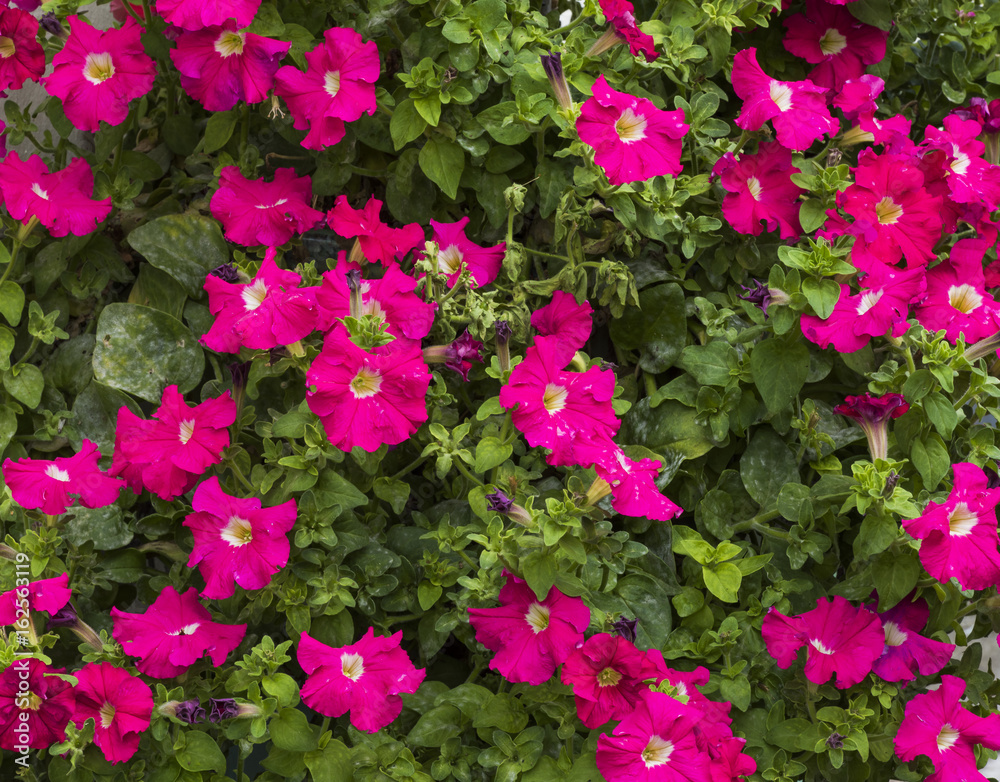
796, 108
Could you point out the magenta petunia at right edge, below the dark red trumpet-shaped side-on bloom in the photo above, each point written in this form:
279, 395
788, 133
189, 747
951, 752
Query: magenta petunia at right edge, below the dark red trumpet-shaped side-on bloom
959, 536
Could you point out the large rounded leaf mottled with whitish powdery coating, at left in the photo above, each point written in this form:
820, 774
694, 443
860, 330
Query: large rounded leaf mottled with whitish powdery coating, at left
141, 350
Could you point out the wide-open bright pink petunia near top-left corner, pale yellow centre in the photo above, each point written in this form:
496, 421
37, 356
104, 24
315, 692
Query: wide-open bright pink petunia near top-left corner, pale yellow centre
98, 72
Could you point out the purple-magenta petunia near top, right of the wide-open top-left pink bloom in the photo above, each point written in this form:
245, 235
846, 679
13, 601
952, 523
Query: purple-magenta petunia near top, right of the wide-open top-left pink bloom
221, 66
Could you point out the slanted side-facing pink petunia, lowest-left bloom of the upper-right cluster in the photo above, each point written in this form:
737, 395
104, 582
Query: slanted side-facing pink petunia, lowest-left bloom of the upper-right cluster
881, 307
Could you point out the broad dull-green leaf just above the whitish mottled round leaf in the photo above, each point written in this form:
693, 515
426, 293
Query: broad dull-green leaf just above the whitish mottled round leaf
186, 246
